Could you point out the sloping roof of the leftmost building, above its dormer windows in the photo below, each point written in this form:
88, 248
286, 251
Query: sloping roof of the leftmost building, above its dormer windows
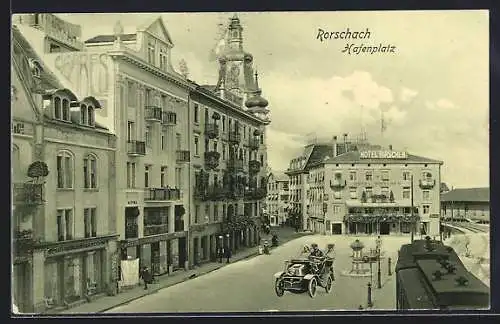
23, 48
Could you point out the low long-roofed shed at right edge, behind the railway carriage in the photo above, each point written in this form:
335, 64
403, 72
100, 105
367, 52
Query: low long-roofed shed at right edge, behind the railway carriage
466, 204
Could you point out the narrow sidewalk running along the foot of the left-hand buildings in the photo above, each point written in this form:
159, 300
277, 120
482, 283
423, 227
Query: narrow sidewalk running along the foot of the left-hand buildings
108, 302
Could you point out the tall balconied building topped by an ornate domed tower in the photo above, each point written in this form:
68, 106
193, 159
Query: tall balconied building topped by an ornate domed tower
229, 157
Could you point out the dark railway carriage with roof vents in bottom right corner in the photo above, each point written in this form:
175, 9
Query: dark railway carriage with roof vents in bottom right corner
430, 275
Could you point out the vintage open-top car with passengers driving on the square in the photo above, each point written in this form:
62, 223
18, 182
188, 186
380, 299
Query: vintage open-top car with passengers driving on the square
305, 273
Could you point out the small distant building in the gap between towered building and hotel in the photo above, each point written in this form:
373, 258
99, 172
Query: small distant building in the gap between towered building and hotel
277, 198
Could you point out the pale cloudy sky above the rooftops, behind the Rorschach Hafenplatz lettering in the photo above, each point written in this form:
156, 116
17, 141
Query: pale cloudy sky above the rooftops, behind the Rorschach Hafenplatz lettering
433, 90
